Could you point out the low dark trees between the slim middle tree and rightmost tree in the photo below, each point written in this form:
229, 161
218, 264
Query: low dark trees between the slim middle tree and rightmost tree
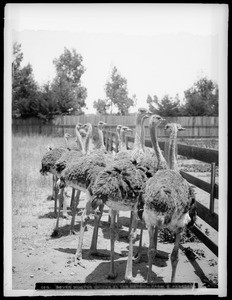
167, 106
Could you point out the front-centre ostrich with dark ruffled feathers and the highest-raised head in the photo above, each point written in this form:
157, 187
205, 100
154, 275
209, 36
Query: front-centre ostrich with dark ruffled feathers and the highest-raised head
119, 186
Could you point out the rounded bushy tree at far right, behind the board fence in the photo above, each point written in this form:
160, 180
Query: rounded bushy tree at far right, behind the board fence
202, 98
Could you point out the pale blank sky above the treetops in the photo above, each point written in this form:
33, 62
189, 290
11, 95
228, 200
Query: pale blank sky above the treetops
159, 48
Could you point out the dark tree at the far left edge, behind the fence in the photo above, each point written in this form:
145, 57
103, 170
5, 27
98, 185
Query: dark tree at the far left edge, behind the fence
24, 87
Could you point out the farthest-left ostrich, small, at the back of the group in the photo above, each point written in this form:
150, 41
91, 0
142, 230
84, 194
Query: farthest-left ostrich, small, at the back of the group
48, 162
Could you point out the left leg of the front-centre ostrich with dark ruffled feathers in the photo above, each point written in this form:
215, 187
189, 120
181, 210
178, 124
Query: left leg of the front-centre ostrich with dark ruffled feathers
112, 274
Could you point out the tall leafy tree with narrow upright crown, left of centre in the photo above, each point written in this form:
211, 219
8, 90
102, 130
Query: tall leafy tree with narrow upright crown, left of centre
66, 87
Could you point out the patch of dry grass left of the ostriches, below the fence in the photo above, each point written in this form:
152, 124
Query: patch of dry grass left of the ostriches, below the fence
28, 185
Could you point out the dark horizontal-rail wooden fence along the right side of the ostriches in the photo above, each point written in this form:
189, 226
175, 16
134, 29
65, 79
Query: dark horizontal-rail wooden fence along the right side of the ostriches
202, 154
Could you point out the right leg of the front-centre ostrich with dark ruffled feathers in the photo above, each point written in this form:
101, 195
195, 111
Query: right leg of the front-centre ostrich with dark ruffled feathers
128, 274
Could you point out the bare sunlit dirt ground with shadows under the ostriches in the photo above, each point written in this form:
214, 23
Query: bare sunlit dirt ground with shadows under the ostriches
39, 258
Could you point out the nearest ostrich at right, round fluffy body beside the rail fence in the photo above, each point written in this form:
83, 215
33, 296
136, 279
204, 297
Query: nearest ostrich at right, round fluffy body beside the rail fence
168, 203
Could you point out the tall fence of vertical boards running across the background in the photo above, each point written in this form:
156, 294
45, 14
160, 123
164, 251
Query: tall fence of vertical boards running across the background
196, 127
